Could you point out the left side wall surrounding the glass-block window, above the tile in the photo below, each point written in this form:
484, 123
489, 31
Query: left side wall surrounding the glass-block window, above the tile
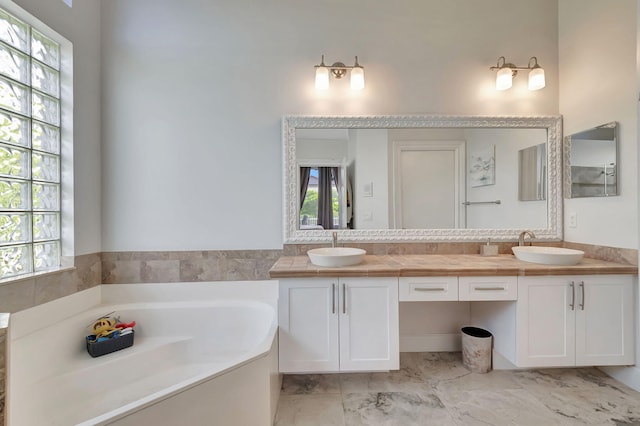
81, 26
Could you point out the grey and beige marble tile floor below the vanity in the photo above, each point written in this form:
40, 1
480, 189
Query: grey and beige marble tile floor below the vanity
436, 389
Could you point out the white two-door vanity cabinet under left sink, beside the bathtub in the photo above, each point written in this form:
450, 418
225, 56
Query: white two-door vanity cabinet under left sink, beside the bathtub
338, 324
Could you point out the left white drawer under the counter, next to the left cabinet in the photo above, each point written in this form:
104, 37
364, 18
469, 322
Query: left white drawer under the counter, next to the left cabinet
428, 289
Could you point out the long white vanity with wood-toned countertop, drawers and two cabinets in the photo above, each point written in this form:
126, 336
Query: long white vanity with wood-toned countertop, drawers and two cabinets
346, 319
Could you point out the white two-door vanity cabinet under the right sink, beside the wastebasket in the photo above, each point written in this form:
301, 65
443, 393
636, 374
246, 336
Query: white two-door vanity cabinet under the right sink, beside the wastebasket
574, 321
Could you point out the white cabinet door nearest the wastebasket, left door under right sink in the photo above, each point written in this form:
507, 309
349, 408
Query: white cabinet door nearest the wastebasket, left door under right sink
545, 318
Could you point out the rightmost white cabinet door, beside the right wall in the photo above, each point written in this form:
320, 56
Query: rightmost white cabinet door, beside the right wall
604, 320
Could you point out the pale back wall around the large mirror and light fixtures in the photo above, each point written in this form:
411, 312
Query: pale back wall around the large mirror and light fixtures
193, 94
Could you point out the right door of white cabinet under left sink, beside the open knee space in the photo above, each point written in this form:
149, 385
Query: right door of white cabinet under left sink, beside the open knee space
369, 335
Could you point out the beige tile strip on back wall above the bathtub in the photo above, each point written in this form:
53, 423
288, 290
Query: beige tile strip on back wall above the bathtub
187, 266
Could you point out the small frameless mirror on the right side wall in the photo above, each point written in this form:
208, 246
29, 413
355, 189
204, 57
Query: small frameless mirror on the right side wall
591, 166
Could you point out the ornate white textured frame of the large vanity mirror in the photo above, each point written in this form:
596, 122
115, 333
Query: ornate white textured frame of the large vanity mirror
553, 125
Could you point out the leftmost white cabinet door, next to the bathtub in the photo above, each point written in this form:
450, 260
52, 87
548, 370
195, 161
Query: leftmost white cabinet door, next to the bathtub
308, 320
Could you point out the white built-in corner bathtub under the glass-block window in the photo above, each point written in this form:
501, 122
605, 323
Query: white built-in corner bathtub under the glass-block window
204, 354
